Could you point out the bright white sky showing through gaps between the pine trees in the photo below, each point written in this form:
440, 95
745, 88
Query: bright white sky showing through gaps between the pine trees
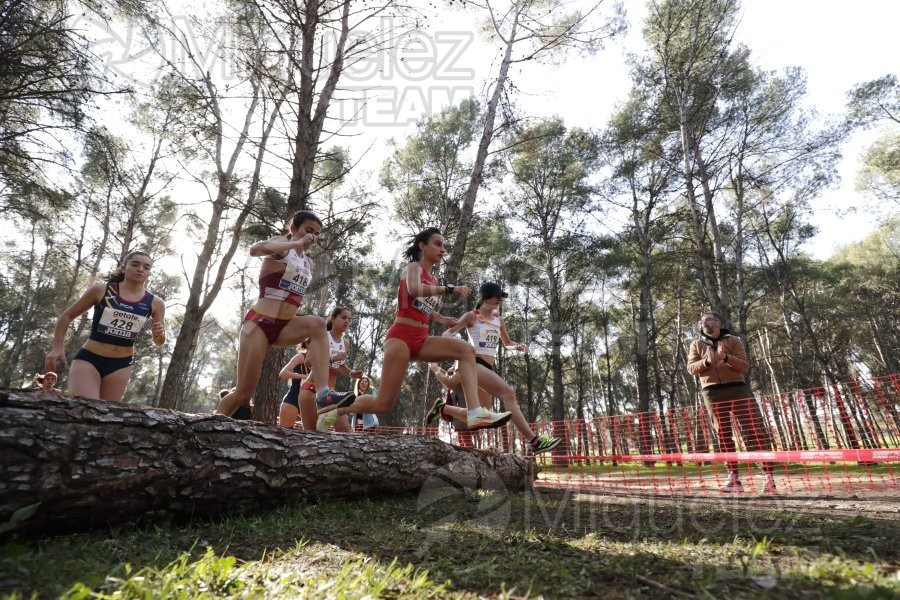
839, 44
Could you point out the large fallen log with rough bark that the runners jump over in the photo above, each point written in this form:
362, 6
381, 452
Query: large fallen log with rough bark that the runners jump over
88, 462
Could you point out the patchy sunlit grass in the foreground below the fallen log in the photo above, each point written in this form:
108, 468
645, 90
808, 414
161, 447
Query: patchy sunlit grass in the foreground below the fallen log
457, 545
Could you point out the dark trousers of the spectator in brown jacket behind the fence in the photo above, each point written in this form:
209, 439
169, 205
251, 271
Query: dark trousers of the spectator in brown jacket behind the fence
738, 400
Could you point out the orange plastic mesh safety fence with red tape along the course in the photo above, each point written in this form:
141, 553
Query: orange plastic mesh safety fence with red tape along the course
839, 439
